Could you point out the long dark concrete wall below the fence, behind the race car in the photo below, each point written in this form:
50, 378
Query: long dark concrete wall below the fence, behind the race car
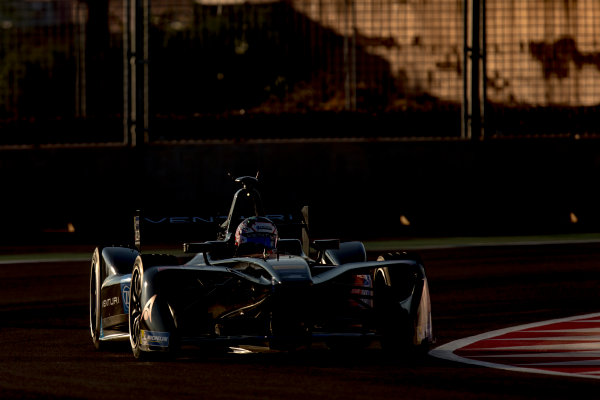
362, 188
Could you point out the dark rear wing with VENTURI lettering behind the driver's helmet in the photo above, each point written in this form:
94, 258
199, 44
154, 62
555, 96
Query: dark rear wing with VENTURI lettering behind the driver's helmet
175, 230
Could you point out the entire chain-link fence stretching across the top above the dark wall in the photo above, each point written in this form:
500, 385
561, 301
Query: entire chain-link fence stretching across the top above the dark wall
228, 69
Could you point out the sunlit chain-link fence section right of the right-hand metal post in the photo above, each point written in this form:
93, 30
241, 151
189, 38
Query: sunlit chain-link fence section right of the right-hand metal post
543, 67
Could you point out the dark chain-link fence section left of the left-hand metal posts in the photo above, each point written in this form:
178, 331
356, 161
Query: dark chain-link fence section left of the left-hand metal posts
60, 74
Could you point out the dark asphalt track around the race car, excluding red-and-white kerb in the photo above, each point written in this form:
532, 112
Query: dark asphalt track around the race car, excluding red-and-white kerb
47, 352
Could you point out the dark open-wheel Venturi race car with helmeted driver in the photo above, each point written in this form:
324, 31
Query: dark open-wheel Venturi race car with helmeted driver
252, 286
